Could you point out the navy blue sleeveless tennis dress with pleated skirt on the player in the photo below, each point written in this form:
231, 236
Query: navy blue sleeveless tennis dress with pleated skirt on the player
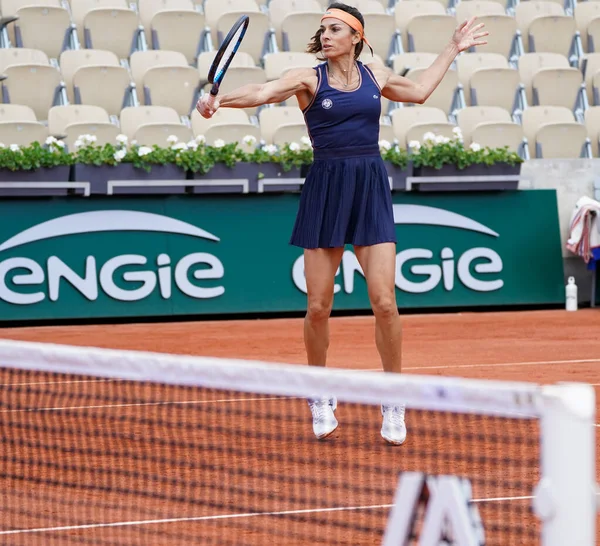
346, 196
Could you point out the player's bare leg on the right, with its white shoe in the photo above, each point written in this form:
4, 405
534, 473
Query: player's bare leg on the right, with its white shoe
379, 266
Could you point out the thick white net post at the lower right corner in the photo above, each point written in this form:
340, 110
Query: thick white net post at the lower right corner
565, 497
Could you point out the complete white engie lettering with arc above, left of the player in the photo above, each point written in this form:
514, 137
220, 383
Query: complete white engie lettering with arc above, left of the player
134, 285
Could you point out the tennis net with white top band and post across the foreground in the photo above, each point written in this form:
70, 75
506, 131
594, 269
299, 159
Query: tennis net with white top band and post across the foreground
130, 448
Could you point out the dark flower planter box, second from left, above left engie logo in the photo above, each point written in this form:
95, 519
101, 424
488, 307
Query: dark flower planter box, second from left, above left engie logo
127, 179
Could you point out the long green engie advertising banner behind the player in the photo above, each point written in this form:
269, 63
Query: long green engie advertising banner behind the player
70, 258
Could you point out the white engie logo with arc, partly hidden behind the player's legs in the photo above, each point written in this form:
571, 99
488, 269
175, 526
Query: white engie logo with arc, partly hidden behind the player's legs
445, 267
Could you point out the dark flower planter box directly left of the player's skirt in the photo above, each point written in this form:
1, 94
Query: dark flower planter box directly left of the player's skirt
247, 178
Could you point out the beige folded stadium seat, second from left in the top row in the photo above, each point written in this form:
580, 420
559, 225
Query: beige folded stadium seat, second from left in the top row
124, 28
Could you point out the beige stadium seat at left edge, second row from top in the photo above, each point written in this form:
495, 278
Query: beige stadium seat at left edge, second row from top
30, 80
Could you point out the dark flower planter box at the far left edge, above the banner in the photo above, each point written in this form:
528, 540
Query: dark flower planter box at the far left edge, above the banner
27, 183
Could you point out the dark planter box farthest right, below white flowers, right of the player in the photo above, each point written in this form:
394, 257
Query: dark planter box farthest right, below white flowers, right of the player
507, 178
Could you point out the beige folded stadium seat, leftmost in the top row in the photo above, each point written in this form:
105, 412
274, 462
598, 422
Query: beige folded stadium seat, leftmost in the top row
47, 28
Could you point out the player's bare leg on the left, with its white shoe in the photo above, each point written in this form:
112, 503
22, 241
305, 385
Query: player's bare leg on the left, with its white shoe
320, 266
